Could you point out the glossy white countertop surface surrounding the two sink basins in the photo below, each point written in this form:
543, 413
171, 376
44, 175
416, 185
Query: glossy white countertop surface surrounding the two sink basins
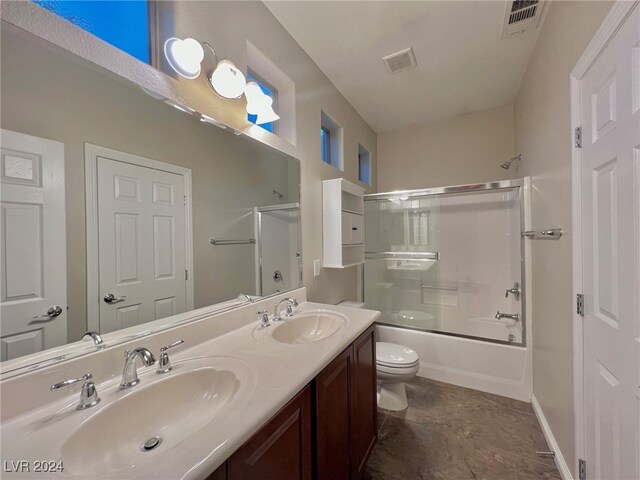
276, 372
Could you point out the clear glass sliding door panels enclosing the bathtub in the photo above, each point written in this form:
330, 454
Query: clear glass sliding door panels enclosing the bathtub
443, 262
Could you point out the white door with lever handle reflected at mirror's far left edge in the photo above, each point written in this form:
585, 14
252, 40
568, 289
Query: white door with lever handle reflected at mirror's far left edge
33, 245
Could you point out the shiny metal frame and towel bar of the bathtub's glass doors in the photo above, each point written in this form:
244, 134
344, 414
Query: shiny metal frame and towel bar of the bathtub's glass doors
471, 188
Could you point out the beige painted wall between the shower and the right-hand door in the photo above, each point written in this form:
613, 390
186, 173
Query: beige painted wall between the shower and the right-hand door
543, 136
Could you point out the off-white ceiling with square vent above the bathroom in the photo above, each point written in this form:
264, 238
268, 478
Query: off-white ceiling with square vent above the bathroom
463, 64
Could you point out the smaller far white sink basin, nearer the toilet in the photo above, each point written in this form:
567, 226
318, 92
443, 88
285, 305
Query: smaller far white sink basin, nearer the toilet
309, 327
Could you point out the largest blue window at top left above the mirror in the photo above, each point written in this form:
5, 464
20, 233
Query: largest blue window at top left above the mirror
124, 25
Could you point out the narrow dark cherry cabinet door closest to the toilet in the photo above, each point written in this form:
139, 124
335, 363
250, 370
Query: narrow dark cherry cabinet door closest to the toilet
363, 401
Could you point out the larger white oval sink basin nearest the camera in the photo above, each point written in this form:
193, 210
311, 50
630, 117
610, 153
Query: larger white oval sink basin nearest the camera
173, 407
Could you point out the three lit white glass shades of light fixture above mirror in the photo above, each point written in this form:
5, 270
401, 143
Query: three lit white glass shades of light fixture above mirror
185, 57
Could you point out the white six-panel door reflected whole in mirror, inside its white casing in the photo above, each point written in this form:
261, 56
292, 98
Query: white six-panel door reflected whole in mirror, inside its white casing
141, 244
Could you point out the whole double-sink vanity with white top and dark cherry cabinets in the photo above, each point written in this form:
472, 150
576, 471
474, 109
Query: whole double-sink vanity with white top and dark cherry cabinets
294, 400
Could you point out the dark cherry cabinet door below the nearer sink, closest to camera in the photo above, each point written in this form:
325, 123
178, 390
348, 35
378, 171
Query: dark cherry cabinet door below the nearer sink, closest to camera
282, 449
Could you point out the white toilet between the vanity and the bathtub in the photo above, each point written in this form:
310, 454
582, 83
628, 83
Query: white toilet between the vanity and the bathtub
395, 365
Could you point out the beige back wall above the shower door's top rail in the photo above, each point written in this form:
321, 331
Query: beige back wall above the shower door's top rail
456, 151
